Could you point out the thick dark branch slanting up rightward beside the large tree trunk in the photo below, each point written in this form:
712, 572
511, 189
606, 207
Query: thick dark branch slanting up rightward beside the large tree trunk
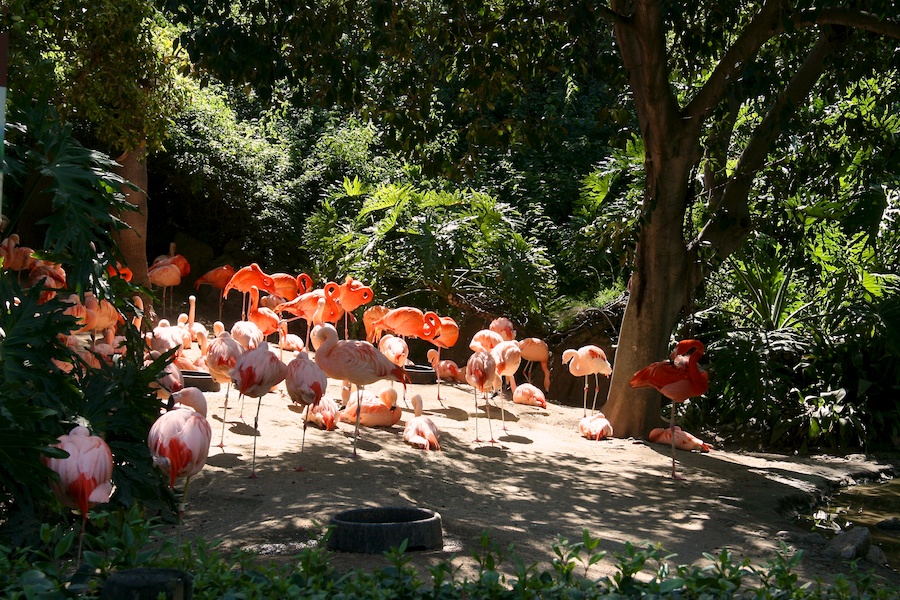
730, 224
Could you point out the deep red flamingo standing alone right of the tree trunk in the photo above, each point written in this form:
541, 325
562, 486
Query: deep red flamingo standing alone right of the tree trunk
678, 379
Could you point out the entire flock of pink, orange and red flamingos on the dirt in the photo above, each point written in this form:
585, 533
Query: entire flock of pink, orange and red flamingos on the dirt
243, 357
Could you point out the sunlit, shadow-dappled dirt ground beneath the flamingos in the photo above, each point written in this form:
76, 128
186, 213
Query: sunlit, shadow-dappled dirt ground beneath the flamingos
539, 482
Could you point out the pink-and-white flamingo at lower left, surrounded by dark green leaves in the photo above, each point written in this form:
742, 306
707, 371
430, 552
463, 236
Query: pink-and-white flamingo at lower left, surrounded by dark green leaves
85, 475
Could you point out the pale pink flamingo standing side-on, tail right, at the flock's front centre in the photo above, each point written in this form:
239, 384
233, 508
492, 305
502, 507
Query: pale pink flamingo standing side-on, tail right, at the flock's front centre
355, 361
